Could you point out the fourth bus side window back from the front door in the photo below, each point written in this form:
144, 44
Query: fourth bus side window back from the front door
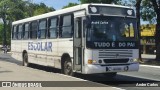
33, 30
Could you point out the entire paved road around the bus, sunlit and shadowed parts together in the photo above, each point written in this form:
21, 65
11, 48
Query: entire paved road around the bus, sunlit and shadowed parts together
10, 68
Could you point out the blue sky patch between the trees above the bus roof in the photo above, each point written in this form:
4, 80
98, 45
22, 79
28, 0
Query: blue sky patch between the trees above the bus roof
56, 4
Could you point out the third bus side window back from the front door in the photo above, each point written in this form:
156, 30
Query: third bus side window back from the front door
42, 29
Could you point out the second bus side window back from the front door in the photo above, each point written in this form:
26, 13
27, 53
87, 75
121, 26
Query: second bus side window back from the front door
52, 28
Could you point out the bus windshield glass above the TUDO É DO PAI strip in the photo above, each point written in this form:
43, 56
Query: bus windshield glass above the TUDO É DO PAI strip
112, 29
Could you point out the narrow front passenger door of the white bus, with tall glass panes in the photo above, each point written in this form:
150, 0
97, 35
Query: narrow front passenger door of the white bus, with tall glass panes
78, 44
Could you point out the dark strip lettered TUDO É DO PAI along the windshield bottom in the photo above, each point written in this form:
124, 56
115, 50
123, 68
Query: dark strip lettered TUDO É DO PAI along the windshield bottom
117, 44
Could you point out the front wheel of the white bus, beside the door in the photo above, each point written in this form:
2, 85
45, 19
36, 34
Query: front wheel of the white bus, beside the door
67, 67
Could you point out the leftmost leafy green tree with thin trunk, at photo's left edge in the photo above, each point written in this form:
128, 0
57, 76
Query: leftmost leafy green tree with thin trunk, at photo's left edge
8, 9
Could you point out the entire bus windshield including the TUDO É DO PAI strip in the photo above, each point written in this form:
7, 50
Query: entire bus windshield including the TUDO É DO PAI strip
112, 32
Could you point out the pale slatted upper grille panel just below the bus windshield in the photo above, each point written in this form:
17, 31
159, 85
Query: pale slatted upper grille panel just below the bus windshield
114, 54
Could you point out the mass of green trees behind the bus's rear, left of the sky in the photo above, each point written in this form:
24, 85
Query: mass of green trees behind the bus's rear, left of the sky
12, 10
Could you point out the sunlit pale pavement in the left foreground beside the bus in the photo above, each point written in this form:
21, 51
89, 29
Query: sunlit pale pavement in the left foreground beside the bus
12, 70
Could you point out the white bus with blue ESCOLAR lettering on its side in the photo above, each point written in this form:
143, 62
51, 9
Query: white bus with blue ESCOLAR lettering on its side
88, 39
